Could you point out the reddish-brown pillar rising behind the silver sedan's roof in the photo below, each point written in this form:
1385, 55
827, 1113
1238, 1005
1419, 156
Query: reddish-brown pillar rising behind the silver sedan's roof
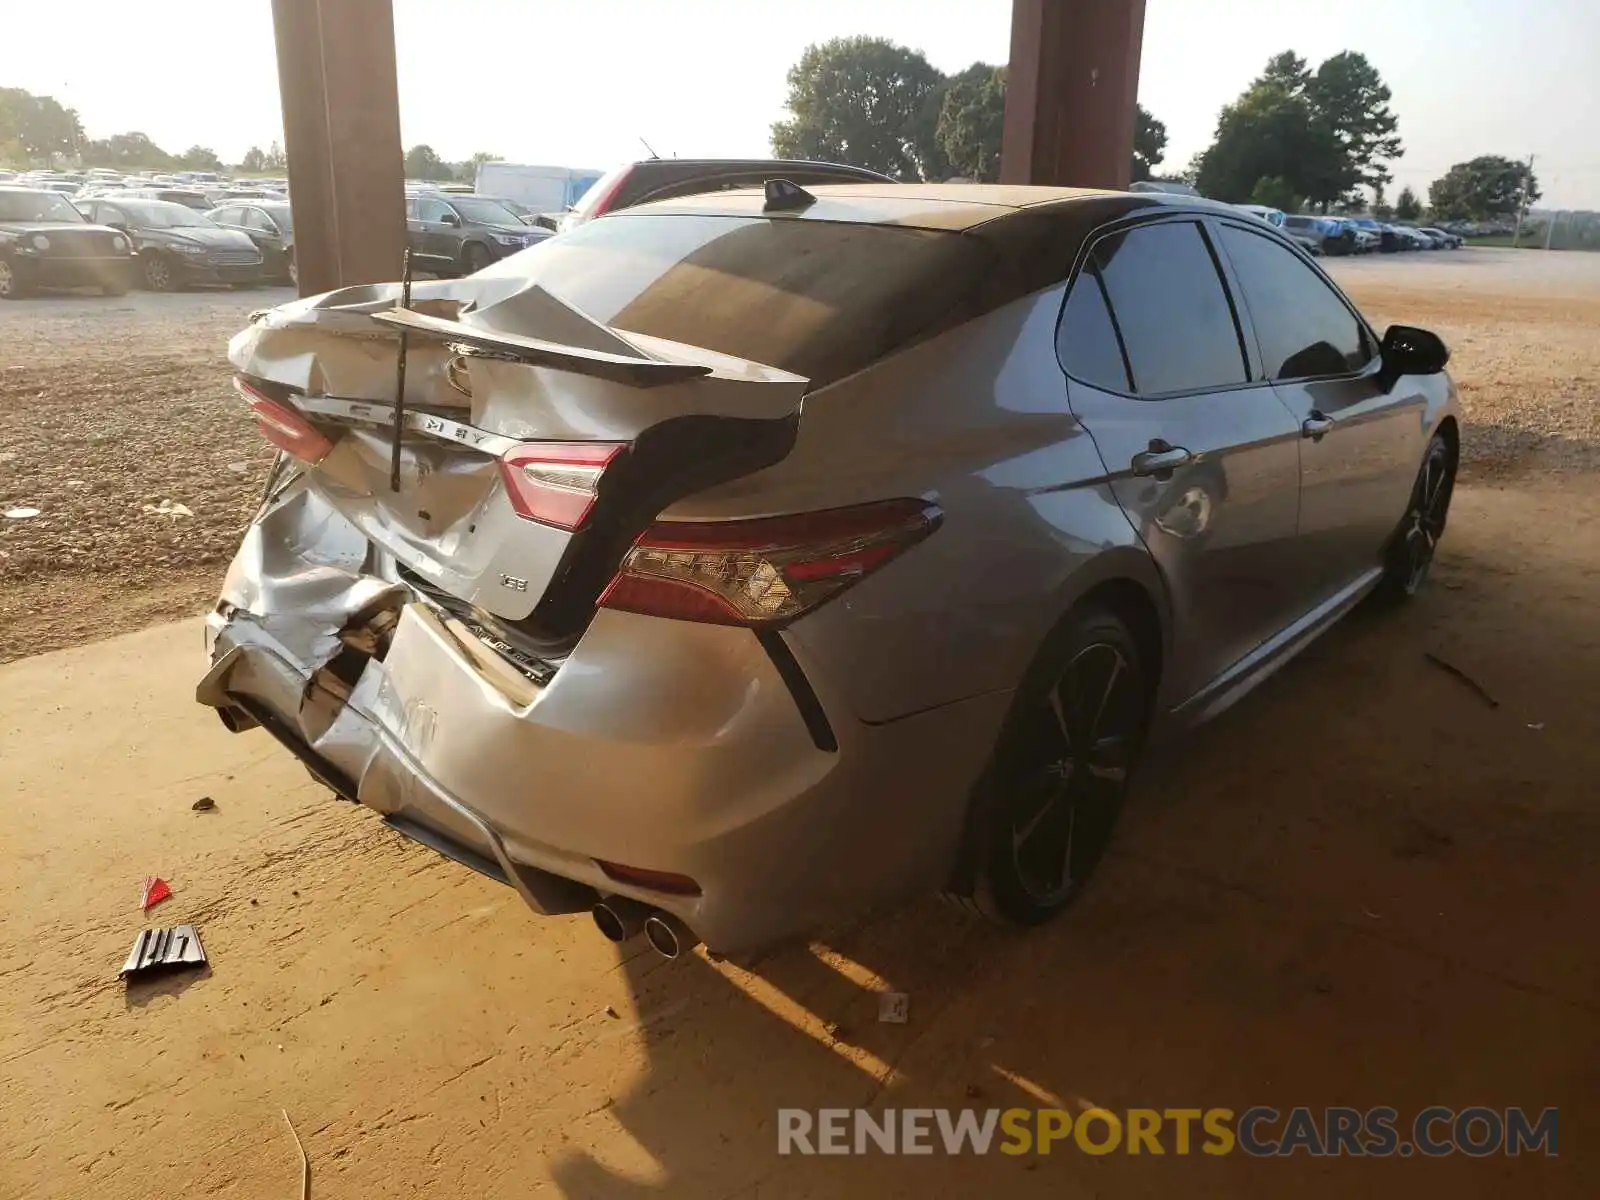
1071, 92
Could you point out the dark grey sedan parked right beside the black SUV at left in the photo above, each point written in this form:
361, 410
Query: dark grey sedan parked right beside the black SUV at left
177, 246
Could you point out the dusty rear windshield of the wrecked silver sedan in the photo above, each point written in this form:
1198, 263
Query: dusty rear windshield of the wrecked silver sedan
817, 298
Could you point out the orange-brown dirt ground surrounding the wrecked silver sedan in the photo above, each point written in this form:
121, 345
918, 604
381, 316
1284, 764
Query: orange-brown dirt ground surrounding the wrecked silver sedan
1369, 884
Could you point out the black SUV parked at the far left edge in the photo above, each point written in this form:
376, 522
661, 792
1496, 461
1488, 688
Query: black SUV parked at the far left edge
47, 244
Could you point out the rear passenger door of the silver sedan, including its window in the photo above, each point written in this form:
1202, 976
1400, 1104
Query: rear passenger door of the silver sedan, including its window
1201, 454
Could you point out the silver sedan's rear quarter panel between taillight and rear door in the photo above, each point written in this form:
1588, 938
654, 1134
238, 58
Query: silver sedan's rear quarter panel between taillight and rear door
978, 422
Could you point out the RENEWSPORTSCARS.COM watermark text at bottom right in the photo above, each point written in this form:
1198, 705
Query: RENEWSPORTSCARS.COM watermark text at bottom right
1260, 1132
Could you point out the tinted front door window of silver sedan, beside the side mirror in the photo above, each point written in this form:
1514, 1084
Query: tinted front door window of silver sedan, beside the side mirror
1303, 327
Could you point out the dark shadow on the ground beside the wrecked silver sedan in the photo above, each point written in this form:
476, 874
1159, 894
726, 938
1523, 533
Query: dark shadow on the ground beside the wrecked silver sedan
1361, 887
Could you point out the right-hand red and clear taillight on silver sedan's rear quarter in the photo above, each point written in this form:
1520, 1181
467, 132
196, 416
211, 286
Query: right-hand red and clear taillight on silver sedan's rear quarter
764, 572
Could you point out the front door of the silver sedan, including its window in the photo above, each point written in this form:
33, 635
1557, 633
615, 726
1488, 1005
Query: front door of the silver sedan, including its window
1362, 434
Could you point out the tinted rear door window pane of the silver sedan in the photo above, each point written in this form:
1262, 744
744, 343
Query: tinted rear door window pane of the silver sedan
1172, 310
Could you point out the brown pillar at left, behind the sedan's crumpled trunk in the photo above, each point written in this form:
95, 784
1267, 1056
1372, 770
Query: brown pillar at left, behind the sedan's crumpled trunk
342, 134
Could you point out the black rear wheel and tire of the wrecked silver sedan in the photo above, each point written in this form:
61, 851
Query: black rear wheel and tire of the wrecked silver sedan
1046, 809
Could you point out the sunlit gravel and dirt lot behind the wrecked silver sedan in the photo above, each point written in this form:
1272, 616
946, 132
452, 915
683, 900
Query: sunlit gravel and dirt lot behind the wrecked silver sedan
113, 406
